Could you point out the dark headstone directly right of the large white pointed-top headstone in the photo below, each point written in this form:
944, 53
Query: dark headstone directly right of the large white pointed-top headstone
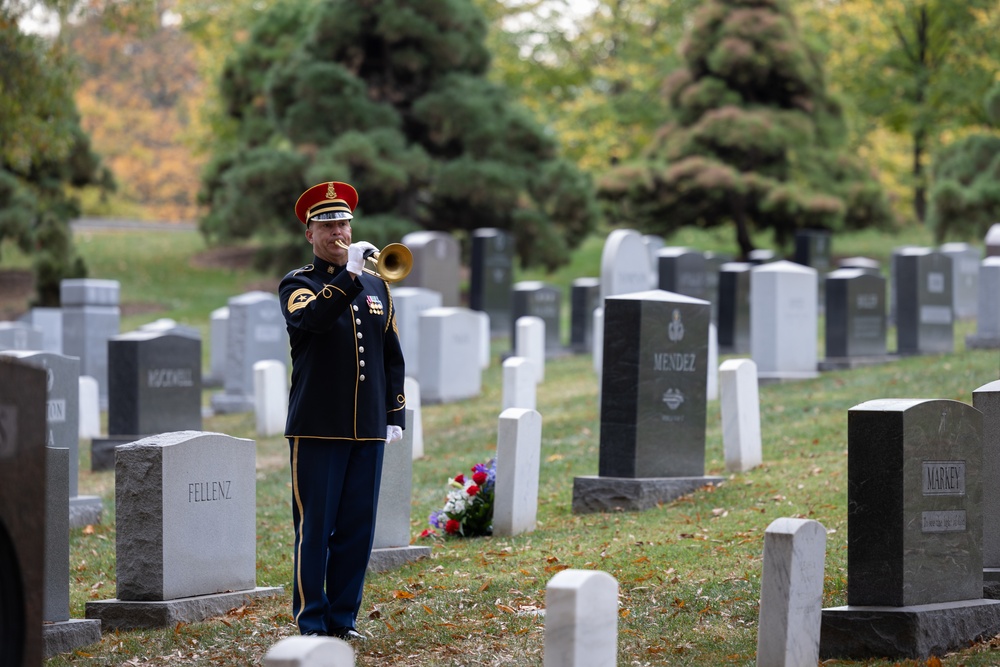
855, 314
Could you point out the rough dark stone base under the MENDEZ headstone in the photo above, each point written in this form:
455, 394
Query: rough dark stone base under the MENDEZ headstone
609, 494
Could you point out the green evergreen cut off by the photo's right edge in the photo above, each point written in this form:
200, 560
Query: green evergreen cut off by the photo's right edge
965, 199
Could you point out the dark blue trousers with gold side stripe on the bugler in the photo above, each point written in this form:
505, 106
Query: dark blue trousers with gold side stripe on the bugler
335, 488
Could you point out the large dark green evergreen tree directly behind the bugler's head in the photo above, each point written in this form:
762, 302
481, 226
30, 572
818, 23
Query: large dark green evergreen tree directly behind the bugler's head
390, 96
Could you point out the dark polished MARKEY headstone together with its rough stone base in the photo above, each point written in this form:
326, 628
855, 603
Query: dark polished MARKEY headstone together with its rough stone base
914, 533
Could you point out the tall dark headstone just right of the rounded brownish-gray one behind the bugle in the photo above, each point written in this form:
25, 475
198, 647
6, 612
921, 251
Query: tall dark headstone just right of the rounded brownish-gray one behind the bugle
491, 276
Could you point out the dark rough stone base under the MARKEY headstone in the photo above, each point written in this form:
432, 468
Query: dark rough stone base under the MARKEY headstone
917, 631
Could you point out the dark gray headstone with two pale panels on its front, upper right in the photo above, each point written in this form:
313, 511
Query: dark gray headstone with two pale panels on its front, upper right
924, 314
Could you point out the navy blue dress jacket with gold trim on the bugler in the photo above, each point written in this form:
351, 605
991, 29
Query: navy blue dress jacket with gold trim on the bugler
347, 363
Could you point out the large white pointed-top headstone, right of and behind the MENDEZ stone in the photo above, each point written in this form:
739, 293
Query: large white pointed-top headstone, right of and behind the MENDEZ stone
783, 320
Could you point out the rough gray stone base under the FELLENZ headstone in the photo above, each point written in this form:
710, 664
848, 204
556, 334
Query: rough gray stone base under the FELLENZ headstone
128, 614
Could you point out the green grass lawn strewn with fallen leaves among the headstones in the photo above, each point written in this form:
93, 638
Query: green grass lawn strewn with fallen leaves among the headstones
688, 571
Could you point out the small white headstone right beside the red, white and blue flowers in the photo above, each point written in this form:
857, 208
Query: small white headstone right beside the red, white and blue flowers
519, 445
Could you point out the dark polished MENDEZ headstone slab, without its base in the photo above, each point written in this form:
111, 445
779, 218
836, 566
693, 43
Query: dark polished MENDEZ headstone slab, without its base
653, 400
